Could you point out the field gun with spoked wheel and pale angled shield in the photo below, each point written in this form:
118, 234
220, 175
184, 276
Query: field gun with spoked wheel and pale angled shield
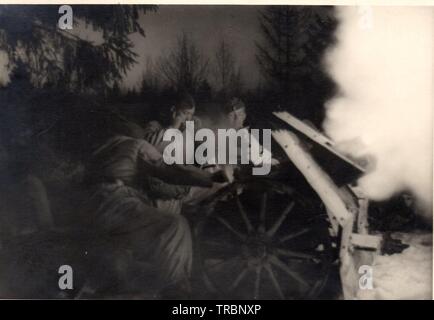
281, 237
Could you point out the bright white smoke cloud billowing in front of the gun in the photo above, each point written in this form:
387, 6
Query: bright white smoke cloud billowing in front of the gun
382, 64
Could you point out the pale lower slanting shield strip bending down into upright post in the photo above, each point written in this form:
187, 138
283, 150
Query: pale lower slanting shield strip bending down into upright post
342, 209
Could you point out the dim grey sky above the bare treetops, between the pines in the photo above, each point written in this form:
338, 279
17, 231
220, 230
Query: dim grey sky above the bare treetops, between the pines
207, 25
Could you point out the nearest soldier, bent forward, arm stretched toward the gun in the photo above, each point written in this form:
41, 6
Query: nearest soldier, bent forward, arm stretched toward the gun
122, 210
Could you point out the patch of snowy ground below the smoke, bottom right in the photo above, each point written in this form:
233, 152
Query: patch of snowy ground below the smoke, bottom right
407, 275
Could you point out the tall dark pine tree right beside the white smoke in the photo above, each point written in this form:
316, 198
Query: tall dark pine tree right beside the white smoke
290, 56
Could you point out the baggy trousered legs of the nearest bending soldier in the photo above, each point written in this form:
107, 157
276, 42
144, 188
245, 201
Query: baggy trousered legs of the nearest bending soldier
159, 239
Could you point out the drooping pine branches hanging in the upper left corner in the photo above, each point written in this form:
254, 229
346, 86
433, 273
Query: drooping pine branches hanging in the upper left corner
30, 35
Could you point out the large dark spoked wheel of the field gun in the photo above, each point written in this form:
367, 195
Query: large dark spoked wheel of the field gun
267, 243
